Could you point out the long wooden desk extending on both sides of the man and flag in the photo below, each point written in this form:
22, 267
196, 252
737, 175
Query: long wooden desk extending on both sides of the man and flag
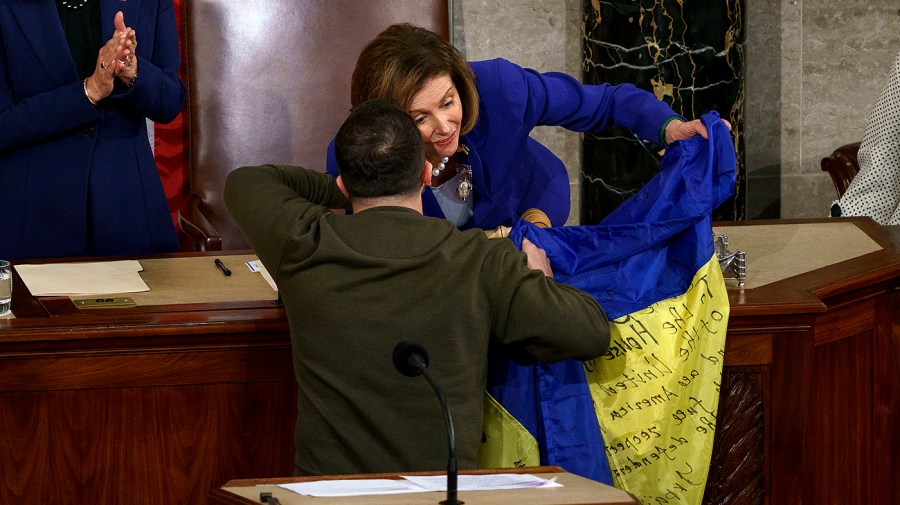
160, 404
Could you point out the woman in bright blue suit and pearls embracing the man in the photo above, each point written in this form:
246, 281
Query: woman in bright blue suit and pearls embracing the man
476, 118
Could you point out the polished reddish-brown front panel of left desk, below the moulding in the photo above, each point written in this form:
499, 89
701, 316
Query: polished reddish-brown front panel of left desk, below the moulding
162, 444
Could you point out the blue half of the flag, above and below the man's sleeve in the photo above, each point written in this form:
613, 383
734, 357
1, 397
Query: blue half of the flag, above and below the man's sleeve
647, 250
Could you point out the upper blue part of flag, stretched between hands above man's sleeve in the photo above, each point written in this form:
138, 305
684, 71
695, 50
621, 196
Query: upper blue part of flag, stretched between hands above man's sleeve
651, 246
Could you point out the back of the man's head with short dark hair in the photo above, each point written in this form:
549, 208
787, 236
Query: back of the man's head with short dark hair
379, 151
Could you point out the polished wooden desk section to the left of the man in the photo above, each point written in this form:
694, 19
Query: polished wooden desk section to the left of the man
152, 404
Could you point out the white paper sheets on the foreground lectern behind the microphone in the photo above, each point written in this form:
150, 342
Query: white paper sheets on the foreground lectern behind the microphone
418, 484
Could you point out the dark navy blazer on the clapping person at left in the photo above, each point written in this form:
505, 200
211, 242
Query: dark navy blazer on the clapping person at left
78, 179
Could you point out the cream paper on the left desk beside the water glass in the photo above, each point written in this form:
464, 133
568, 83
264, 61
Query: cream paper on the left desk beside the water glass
91, 278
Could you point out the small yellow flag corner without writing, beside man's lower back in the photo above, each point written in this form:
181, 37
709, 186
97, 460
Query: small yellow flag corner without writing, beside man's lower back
505, 443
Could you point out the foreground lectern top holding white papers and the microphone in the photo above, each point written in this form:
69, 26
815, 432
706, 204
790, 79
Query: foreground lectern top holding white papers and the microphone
576, 491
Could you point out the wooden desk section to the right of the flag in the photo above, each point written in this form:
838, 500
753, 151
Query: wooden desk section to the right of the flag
810, 397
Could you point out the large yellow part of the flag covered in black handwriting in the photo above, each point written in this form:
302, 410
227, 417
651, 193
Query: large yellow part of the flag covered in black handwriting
657, 392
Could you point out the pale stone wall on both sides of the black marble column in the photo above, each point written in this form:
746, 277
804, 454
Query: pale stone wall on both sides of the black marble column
830, 56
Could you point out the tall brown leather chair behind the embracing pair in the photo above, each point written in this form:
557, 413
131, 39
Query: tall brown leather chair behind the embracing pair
269, 82
